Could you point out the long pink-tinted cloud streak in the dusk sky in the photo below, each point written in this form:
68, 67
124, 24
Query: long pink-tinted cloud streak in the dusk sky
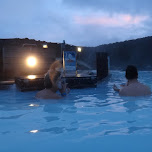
117, 20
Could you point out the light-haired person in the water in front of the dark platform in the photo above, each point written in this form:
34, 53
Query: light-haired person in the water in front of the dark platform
53, 83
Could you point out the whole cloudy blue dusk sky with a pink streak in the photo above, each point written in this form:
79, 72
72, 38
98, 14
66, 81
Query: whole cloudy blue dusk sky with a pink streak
78, 22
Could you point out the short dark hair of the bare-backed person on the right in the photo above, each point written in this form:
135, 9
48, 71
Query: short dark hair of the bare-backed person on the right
131, 72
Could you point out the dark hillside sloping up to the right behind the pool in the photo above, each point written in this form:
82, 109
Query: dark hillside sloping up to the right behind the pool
137, 52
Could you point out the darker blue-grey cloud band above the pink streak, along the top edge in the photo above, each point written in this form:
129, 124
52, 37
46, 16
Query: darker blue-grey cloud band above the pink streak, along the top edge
121, 6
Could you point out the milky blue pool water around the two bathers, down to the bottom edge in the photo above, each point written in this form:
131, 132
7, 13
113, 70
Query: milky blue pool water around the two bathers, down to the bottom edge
91, 120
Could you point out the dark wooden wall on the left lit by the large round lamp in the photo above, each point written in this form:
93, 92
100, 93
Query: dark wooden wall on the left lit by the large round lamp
13, 55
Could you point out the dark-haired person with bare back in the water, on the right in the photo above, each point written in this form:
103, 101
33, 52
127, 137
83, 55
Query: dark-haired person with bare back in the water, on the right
133, 87
